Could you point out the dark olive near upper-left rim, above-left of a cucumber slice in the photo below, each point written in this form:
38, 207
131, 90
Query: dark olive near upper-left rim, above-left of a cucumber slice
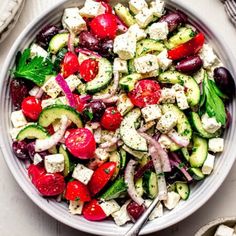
44, 36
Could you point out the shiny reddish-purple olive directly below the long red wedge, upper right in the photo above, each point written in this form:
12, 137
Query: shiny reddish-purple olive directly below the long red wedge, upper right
190, 65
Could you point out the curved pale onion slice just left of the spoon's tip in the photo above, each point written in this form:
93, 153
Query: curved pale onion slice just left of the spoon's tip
129, 180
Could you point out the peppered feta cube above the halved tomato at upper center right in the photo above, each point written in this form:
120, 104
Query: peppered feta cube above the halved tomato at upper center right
146, 63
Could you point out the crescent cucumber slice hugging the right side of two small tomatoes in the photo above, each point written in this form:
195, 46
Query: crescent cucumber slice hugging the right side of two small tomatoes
103, 78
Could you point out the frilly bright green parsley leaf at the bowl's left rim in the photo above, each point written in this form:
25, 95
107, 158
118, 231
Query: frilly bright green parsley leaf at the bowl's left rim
34, 69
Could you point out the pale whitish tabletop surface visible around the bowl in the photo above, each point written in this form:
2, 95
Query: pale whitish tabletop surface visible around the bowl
20, 217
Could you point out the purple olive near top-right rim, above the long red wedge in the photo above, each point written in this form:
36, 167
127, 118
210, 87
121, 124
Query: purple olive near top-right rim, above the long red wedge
174, 19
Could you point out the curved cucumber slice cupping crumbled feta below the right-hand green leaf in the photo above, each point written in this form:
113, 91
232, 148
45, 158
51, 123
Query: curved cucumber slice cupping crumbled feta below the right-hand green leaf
197, 126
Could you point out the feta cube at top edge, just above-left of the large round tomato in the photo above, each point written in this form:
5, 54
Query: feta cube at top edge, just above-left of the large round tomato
91, 9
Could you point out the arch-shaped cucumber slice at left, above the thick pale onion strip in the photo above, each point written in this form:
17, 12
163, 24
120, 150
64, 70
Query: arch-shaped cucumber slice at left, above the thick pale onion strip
51, 113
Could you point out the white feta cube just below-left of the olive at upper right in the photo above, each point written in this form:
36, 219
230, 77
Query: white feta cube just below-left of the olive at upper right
158, 31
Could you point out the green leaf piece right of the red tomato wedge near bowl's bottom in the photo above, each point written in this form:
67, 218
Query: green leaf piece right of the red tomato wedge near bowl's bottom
116, 189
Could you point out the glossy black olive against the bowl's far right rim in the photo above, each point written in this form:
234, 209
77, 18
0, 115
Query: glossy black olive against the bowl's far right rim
224, 80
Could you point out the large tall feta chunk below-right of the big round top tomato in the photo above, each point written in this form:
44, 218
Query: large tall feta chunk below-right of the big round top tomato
125, 46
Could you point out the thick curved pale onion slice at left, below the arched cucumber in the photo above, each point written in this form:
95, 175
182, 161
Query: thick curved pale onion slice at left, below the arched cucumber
45, 144
